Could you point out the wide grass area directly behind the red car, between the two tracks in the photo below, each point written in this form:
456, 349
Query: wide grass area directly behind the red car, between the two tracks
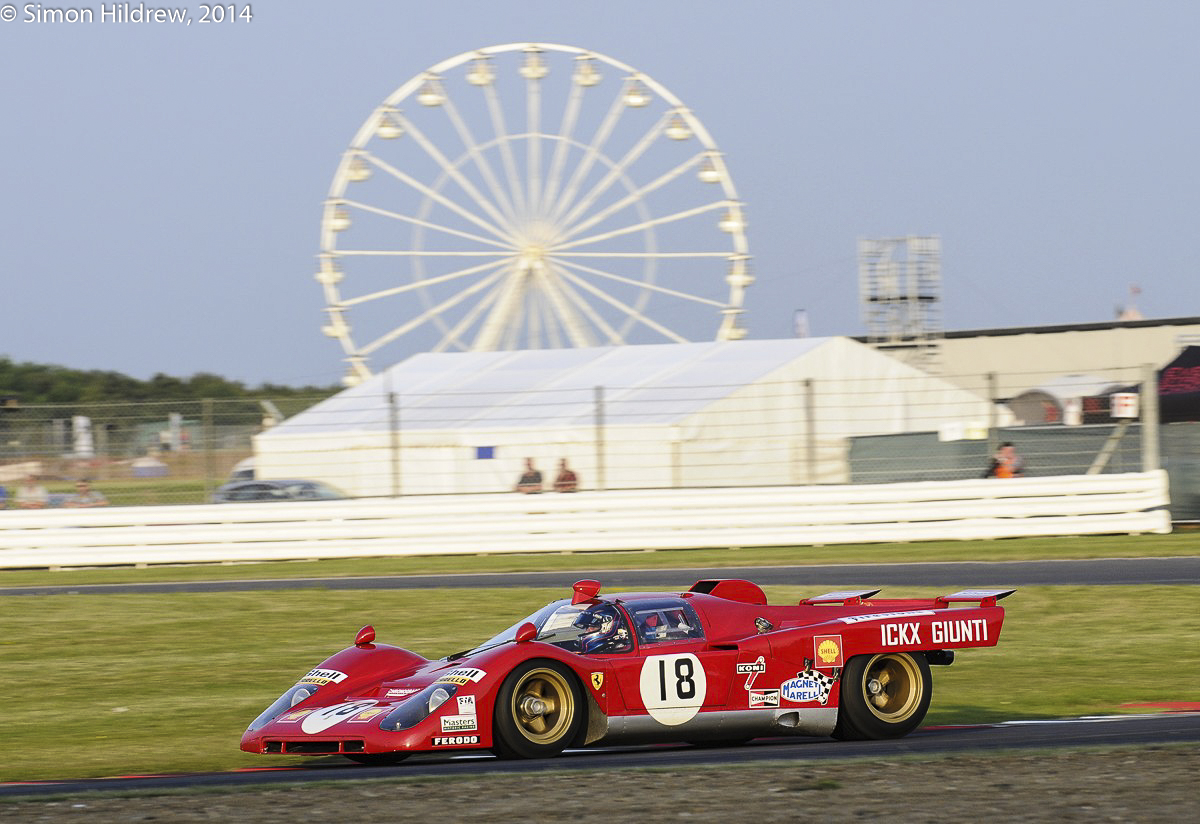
106, 685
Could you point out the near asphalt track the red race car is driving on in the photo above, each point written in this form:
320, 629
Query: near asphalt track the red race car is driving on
1025, 736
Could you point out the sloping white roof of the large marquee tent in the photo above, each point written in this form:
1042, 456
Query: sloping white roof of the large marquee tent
650, 384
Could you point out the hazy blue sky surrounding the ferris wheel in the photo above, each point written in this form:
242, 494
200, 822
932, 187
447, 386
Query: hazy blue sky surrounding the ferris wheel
163, 185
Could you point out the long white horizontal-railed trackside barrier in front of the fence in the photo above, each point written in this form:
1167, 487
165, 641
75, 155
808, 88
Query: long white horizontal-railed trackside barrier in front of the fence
589, 521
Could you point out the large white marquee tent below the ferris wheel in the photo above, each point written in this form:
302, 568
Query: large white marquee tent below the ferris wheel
693, 414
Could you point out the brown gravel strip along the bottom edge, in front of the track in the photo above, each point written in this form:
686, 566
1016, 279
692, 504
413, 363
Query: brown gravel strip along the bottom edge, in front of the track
1121, 785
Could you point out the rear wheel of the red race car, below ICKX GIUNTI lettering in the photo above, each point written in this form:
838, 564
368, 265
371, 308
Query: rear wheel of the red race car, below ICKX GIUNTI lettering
884, 696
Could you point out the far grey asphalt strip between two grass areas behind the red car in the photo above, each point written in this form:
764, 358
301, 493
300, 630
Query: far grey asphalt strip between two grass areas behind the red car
958, 575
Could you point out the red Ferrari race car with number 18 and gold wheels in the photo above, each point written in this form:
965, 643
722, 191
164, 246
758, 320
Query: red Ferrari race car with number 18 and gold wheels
715, 665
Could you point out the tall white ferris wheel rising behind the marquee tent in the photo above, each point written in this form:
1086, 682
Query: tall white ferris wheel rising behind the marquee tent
530, 196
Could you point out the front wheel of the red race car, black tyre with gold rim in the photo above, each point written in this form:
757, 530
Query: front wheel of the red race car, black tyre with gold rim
539, 711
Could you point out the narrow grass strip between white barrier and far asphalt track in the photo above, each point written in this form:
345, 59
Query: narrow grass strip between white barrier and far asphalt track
1100, 546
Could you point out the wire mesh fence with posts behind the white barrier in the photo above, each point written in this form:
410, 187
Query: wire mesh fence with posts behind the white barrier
764, 432
